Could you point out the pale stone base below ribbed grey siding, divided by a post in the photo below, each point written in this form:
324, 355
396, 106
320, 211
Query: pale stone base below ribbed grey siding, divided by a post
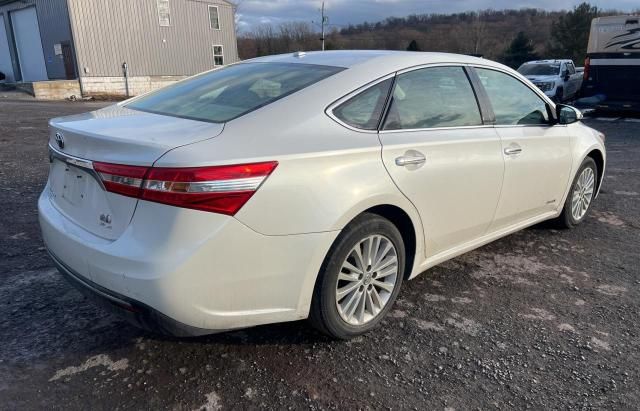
115, 86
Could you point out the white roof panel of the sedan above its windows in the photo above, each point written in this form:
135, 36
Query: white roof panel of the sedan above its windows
351, 58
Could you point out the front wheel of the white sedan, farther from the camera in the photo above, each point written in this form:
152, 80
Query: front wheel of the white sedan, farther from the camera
581, 195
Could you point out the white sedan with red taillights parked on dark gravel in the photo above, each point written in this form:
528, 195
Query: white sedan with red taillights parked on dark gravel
307, 185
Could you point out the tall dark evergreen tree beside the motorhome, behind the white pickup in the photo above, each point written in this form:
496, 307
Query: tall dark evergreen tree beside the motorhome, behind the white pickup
570, 33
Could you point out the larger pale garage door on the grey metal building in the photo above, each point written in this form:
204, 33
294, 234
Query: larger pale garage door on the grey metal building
27, 36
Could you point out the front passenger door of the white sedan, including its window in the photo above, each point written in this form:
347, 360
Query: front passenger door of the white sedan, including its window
537, 154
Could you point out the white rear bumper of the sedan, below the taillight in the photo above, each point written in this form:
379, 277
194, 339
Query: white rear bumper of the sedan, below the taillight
186, 272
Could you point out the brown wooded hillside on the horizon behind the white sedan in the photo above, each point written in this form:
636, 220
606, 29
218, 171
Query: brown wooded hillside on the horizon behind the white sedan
487, 33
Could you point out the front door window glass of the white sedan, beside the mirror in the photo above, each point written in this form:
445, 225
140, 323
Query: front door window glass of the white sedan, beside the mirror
513, 102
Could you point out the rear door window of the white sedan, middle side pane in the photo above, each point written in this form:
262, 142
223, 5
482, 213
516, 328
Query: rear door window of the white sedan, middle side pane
432, 97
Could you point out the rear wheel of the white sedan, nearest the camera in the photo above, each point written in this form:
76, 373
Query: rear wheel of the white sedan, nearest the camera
359, 279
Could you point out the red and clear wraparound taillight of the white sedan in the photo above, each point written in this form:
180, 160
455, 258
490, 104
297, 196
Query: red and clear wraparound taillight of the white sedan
219, 189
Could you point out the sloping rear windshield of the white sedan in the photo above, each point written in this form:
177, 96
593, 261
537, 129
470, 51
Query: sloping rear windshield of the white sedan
222, 95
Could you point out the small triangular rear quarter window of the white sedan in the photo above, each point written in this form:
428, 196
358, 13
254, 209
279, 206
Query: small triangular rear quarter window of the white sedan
363, 111
